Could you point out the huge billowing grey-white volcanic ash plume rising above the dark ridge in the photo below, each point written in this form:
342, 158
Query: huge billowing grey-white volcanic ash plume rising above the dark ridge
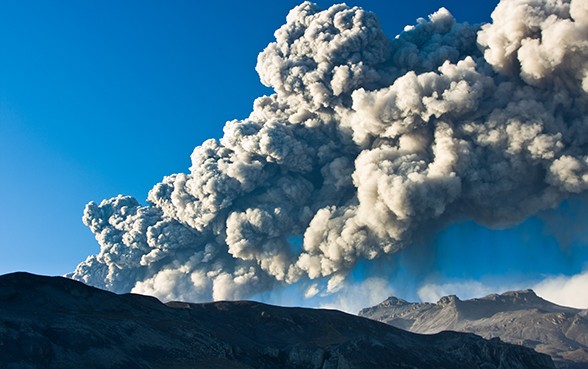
366, 142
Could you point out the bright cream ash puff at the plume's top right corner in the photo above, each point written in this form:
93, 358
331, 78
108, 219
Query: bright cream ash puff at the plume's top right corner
538, 40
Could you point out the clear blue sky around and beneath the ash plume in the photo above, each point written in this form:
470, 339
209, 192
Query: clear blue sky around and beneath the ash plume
106, 98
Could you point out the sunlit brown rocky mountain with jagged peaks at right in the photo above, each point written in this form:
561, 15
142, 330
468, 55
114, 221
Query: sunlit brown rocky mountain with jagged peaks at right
519, 317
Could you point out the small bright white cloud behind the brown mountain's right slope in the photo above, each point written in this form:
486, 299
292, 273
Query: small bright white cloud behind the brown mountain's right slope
565, 290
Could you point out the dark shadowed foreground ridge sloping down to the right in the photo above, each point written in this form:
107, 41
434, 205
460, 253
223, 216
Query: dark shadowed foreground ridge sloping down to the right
53, 322
